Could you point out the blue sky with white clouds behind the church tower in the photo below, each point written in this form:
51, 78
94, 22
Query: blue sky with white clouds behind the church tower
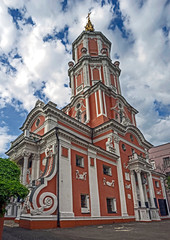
35, 48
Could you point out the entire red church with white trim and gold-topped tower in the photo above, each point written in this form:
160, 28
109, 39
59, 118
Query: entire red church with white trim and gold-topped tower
88, 163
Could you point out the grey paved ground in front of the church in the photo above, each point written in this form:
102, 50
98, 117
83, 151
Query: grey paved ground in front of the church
118, 231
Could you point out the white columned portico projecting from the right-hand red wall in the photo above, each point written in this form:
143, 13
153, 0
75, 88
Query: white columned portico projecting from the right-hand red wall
142, 187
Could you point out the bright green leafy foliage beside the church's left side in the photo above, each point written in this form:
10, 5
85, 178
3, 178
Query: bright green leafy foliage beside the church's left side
10, 185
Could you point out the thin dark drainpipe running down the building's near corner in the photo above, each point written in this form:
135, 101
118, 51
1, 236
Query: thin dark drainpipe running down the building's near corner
58, 152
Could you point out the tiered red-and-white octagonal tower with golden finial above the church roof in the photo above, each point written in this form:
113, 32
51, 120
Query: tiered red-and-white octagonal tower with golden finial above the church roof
94, 81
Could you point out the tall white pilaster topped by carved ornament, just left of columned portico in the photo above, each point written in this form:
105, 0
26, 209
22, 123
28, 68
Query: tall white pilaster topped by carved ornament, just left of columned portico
120, 177
